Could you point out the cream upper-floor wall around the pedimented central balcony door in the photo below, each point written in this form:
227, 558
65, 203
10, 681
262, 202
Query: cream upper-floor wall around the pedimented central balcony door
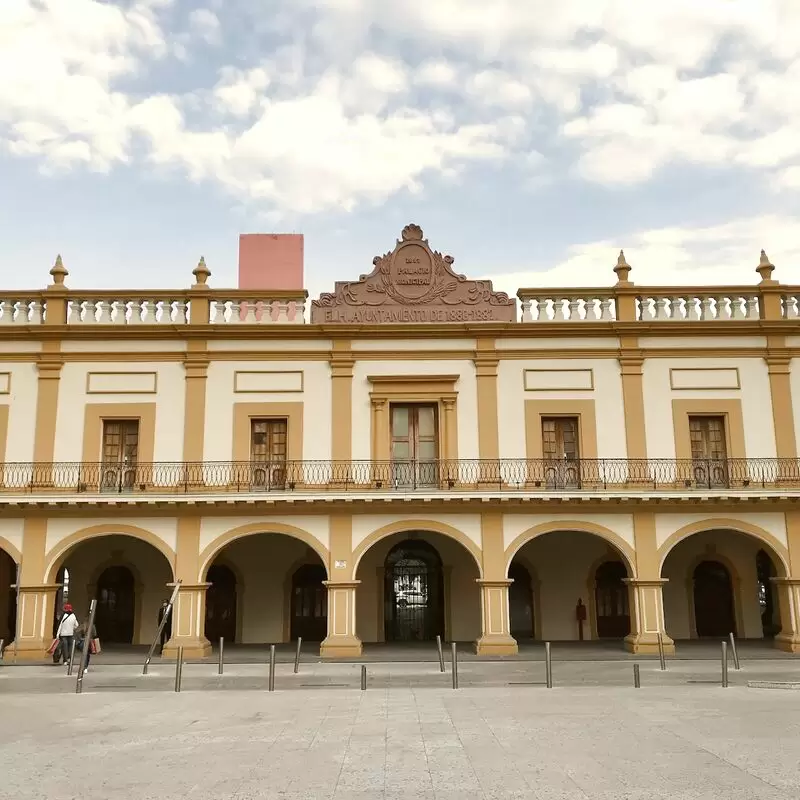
467, 400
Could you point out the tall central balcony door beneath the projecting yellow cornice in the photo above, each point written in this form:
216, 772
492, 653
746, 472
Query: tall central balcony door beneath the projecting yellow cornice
415, 449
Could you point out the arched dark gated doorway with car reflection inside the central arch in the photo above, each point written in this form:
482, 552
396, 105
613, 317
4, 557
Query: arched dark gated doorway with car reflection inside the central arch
413, 593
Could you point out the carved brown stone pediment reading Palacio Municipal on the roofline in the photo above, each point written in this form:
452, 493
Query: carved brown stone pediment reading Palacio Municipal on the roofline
412, 283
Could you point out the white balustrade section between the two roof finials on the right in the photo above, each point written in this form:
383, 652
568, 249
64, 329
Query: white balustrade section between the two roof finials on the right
697, 308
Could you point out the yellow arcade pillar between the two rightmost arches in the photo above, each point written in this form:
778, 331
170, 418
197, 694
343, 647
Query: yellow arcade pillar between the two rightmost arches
646, 599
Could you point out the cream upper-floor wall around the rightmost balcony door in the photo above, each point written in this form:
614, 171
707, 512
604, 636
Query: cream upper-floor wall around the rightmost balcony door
759, 432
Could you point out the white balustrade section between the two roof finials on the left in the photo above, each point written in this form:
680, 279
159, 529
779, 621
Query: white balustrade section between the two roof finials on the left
132, 311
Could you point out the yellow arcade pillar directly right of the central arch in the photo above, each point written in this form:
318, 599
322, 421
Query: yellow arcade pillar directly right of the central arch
496, 638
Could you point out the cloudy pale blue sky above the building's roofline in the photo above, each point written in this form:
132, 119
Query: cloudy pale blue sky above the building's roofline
531, 140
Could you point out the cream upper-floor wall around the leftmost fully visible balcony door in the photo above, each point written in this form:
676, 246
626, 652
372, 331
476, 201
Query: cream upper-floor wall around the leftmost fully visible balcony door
169, 399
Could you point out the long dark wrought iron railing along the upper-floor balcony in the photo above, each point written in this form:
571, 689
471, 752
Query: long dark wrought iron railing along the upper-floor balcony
526, 475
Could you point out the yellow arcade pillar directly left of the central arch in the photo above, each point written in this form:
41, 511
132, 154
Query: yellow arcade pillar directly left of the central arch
342, 639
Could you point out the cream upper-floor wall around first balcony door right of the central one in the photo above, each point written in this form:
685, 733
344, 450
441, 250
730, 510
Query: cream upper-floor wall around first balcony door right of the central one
607, 396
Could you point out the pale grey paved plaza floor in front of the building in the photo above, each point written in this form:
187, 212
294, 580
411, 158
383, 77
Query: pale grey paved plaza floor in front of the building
409, 735
